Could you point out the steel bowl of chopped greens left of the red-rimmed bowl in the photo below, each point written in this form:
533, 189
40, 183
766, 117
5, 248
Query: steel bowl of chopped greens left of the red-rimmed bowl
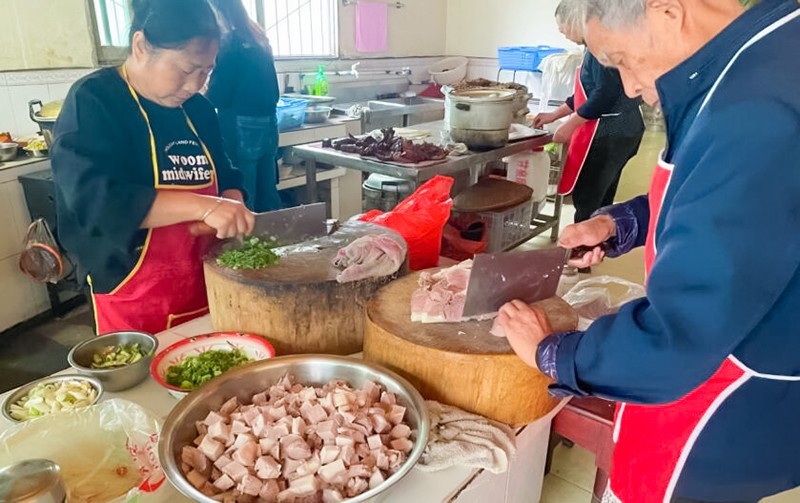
117, 378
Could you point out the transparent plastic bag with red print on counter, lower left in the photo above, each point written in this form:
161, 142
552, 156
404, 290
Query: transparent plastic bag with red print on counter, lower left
107, 452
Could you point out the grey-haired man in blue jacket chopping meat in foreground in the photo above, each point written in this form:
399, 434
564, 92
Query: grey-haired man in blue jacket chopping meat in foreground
707, 366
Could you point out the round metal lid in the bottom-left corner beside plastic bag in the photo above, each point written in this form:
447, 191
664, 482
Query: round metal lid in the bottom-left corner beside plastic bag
32, 480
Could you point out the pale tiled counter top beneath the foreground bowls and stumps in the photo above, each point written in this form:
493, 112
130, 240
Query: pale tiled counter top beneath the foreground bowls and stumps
521, 484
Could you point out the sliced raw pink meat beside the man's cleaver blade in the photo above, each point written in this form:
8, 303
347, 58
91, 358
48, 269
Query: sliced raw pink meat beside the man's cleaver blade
440, 297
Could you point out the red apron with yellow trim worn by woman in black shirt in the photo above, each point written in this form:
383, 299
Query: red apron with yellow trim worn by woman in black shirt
166, 287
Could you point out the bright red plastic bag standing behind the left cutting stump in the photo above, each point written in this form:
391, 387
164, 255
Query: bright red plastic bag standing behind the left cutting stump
420, 219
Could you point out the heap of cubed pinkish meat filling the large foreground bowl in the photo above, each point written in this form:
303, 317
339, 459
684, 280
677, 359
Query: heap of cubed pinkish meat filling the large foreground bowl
299, 443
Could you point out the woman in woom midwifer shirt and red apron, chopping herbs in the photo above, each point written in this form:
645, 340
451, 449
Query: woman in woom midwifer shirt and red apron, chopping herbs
138, 159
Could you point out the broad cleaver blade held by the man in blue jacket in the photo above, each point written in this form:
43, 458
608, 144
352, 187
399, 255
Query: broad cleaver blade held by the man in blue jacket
498, 278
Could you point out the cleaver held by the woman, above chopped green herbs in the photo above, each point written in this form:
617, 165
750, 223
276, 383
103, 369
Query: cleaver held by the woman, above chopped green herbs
287, 226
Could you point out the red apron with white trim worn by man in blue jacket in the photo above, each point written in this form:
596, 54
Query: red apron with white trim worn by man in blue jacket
652, 442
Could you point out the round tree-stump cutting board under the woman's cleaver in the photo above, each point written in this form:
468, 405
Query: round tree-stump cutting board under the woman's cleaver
297, 304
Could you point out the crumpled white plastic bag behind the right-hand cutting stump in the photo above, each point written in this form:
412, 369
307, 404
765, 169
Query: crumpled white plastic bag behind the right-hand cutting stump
596, 297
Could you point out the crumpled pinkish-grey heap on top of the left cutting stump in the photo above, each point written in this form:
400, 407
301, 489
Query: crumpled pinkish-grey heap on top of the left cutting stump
373, 256
